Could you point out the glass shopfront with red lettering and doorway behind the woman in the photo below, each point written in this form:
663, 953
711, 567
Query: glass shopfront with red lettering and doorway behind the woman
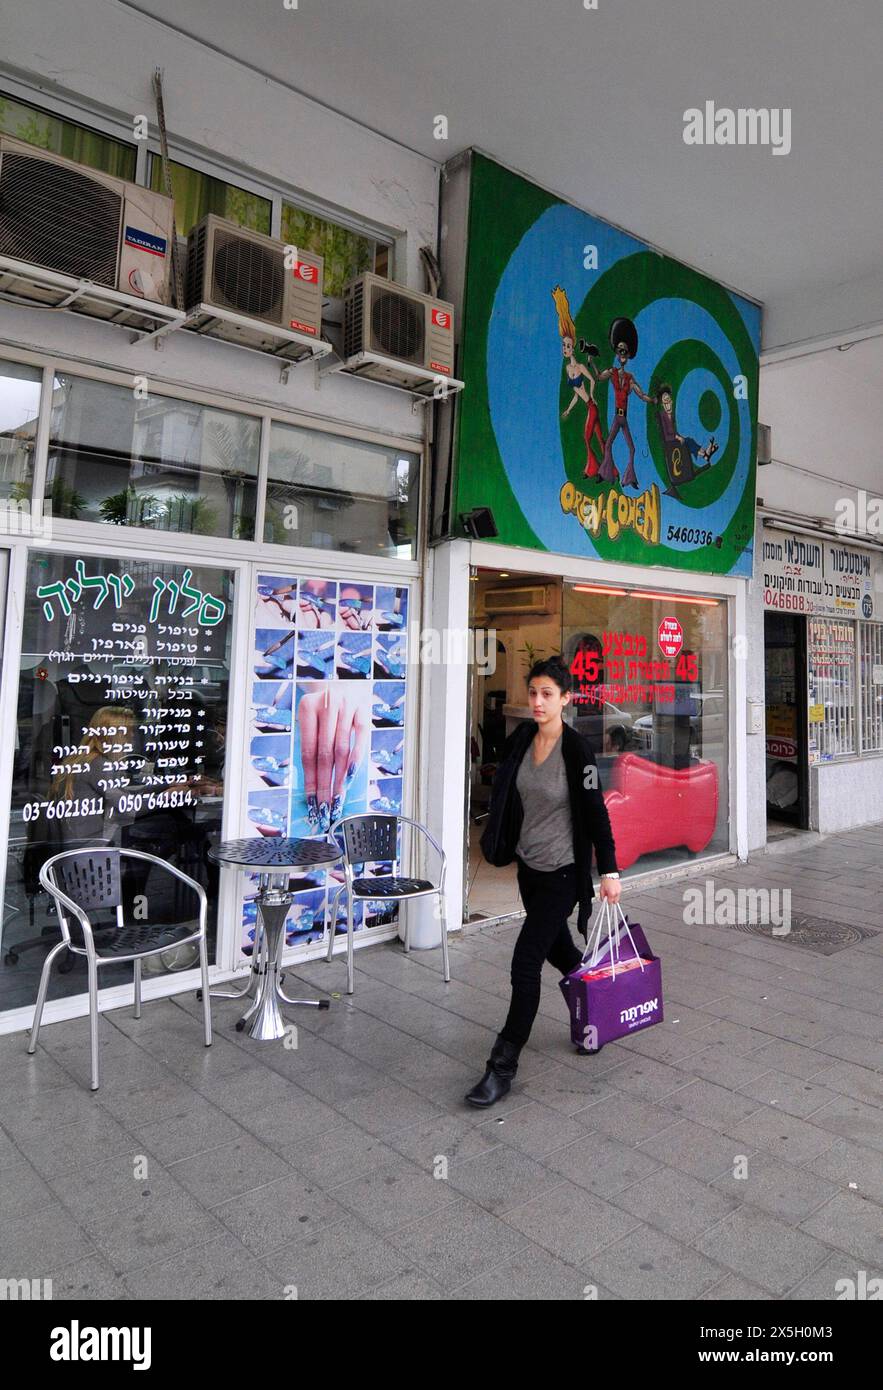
650, 693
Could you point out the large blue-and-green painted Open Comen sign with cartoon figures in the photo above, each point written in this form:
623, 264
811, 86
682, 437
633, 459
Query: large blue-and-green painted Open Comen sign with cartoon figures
611, 393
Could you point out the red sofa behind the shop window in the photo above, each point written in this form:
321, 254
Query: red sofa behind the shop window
660, 808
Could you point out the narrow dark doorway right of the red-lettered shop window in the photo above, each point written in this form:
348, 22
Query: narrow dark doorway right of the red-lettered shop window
785, 655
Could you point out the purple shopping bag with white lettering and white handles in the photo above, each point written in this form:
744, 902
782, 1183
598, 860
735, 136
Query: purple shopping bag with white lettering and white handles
618, 988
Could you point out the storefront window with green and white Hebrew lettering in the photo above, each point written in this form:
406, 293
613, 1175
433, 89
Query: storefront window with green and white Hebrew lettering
120, 742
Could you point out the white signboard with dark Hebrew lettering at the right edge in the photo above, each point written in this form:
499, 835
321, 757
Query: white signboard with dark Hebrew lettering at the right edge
820, 578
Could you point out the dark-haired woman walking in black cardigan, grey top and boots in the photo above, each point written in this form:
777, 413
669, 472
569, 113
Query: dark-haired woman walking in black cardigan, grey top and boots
547, 812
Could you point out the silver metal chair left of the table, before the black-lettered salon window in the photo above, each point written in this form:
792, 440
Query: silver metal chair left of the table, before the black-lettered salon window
88, 881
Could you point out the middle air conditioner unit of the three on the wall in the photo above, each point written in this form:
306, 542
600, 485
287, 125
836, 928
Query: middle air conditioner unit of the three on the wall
244, 273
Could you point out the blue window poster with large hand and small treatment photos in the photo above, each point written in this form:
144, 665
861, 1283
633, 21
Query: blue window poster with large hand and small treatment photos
327, 726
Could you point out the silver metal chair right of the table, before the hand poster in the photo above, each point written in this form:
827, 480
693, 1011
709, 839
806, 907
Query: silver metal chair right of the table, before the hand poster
376, 839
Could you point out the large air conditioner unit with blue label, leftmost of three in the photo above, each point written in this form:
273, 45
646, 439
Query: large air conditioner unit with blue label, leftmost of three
73, 220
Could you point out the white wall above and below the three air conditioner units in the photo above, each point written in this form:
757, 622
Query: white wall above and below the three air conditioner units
101, 52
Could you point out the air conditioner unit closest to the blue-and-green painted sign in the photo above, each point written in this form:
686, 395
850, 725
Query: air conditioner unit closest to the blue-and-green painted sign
398, 325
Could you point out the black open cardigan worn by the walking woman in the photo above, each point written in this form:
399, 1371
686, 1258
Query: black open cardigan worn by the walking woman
589, 814
